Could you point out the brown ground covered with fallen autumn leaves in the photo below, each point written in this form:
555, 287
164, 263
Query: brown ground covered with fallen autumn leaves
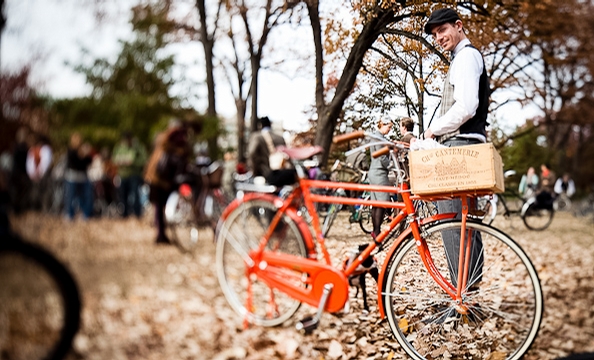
143, 301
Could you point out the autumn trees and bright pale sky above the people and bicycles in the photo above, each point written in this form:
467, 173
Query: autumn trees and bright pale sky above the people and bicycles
103, 67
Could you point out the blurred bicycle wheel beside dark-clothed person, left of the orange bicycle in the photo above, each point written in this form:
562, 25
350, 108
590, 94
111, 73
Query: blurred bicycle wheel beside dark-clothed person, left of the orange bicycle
181, 226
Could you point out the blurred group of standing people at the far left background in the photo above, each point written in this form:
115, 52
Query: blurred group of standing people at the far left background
83, 180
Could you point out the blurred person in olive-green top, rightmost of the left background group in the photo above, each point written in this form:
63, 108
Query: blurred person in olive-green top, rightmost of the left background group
130, 156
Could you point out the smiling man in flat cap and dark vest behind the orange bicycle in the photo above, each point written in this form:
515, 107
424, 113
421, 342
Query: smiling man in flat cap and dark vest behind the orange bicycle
463, 116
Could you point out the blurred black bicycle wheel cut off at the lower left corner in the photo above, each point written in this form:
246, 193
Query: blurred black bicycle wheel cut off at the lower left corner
44, 323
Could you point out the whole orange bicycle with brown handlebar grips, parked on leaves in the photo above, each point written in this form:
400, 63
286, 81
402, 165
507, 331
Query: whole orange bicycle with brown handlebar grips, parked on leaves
268, 263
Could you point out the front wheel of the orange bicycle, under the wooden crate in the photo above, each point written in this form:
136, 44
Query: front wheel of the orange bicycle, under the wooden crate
504, 309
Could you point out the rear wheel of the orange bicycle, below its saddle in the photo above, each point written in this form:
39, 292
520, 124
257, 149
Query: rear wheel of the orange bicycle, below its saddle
241, 231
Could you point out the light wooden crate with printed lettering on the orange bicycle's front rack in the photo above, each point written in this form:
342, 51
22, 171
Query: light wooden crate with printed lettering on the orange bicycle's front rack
447, 170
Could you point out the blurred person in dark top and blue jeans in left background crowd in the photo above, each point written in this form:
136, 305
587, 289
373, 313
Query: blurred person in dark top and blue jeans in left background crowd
78, 189
